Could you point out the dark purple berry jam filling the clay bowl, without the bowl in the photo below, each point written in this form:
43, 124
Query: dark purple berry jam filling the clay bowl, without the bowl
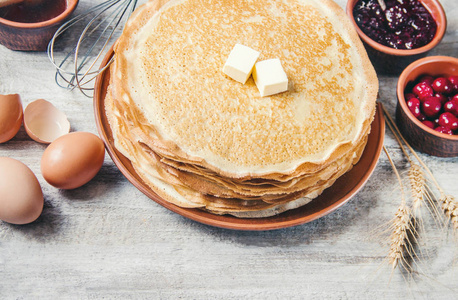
405, 24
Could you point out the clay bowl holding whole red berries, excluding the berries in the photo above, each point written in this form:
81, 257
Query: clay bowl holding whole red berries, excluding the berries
420, 136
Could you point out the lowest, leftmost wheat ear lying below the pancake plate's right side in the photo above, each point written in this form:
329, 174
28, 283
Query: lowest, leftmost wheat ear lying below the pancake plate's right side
401, 250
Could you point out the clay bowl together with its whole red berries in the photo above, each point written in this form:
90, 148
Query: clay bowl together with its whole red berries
427, 108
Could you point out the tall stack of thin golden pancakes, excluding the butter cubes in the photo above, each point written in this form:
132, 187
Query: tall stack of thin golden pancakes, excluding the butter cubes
202, 140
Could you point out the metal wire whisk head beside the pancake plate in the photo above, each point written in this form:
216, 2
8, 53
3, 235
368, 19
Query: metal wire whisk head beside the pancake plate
79, 66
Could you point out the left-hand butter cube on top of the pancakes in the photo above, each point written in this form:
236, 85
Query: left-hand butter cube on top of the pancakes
240, 63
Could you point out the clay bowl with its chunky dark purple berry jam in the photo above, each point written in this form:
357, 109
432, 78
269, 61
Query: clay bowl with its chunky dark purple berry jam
398, 32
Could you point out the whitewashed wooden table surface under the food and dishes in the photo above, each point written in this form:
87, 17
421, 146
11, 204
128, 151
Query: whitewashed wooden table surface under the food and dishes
107, 240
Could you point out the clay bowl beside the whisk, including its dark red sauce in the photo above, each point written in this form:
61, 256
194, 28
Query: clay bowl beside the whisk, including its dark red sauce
30, 24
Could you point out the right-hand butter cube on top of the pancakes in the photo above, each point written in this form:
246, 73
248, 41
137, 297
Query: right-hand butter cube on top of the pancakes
269, 76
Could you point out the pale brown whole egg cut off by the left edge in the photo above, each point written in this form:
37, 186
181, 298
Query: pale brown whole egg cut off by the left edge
21, 197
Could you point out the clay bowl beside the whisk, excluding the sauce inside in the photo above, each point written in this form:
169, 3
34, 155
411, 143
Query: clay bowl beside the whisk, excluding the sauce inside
32, 36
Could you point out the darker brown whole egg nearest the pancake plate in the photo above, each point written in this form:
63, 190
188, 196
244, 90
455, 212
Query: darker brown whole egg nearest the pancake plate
72, 160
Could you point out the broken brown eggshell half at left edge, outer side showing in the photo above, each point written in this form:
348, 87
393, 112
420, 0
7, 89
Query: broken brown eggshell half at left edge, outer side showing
10, 116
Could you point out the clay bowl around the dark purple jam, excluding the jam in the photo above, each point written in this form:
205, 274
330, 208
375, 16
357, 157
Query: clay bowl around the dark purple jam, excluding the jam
387, 60
